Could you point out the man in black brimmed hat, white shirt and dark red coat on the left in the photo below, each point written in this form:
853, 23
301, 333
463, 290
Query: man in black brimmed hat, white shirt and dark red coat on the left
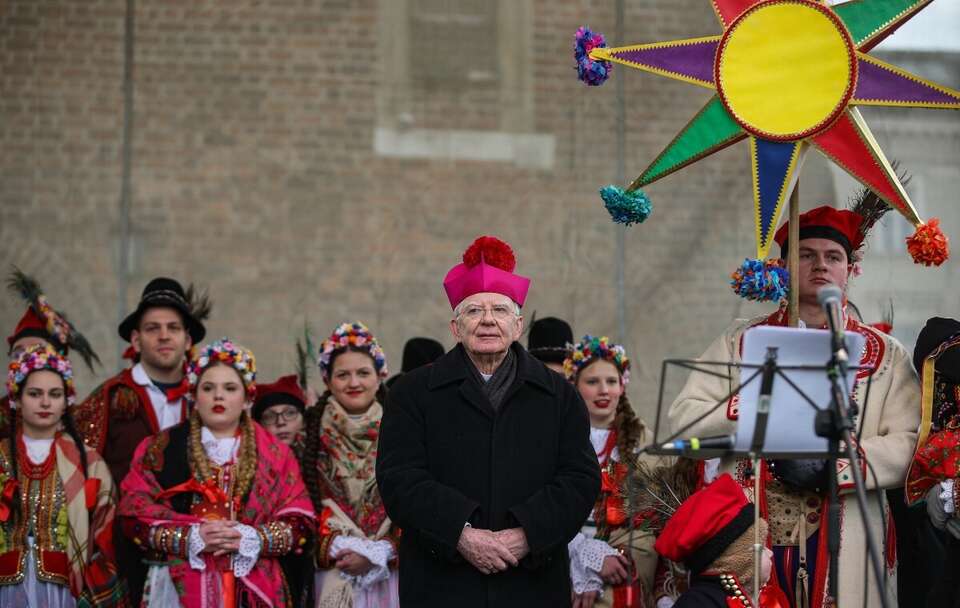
148, 397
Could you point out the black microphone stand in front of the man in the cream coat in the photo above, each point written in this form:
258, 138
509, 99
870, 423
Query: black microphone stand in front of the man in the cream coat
834, 424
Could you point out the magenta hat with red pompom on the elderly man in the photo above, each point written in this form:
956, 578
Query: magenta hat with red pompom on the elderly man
487, 268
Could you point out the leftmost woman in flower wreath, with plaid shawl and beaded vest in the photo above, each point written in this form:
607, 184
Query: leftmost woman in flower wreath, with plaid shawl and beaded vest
57, 500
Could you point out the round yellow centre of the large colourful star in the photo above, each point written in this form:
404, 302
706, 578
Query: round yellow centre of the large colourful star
786, 54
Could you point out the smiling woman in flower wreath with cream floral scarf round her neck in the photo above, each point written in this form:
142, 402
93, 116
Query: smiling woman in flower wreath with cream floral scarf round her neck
356, 543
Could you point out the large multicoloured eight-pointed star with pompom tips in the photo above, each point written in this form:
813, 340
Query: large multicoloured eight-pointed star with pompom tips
786, 75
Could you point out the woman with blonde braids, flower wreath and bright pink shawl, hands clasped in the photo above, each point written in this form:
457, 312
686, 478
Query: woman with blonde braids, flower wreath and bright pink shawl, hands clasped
217, 500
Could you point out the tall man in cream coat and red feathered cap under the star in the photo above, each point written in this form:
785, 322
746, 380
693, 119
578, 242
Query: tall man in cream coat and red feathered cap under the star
795, 497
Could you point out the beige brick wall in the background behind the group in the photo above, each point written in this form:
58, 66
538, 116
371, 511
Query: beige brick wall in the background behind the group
281, 159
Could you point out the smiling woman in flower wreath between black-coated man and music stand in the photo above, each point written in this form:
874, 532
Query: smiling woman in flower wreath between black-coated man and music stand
606, 554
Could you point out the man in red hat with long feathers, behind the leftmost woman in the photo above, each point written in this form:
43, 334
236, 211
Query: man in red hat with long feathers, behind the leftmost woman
40, 324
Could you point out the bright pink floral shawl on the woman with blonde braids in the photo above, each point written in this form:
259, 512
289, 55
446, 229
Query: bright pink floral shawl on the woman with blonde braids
277, 491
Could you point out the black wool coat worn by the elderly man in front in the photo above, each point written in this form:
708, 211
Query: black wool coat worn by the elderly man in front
446, 457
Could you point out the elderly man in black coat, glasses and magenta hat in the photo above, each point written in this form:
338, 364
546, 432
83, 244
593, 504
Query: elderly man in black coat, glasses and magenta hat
485, 460
